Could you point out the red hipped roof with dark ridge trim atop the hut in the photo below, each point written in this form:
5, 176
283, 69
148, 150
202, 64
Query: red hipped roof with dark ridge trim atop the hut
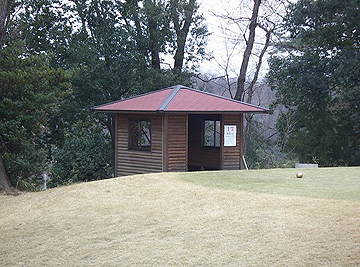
179, 99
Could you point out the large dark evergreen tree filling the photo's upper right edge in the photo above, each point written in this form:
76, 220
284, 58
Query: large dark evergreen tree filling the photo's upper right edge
318, 82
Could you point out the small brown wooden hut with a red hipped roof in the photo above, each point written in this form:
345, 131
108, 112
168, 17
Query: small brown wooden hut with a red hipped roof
178, 129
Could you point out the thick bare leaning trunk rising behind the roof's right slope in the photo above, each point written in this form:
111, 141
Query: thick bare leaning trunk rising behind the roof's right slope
249, 45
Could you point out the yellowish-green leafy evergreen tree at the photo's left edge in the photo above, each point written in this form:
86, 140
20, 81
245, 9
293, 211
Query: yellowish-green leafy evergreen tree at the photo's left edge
30, 91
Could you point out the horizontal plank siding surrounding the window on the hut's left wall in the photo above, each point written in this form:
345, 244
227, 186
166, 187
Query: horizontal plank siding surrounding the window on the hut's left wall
129, 161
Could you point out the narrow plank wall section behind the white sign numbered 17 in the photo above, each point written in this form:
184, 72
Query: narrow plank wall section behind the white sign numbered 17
232, 156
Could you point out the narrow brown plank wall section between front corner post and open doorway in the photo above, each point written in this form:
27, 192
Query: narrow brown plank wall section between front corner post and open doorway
177, 142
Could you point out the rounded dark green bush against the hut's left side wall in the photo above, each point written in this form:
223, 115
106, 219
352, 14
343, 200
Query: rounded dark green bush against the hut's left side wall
85, 155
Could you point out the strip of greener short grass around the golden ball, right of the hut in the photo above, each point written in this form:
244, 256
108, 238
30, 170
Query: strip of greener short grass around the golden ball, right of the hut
328, 183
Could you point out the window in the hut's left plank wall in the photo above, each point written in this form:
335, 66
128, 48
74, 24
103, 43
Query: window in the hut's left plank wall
140, 134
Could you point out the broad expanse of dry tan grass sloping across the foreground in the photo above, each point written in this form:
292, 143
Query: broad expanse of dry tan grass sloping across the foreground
159, 220
